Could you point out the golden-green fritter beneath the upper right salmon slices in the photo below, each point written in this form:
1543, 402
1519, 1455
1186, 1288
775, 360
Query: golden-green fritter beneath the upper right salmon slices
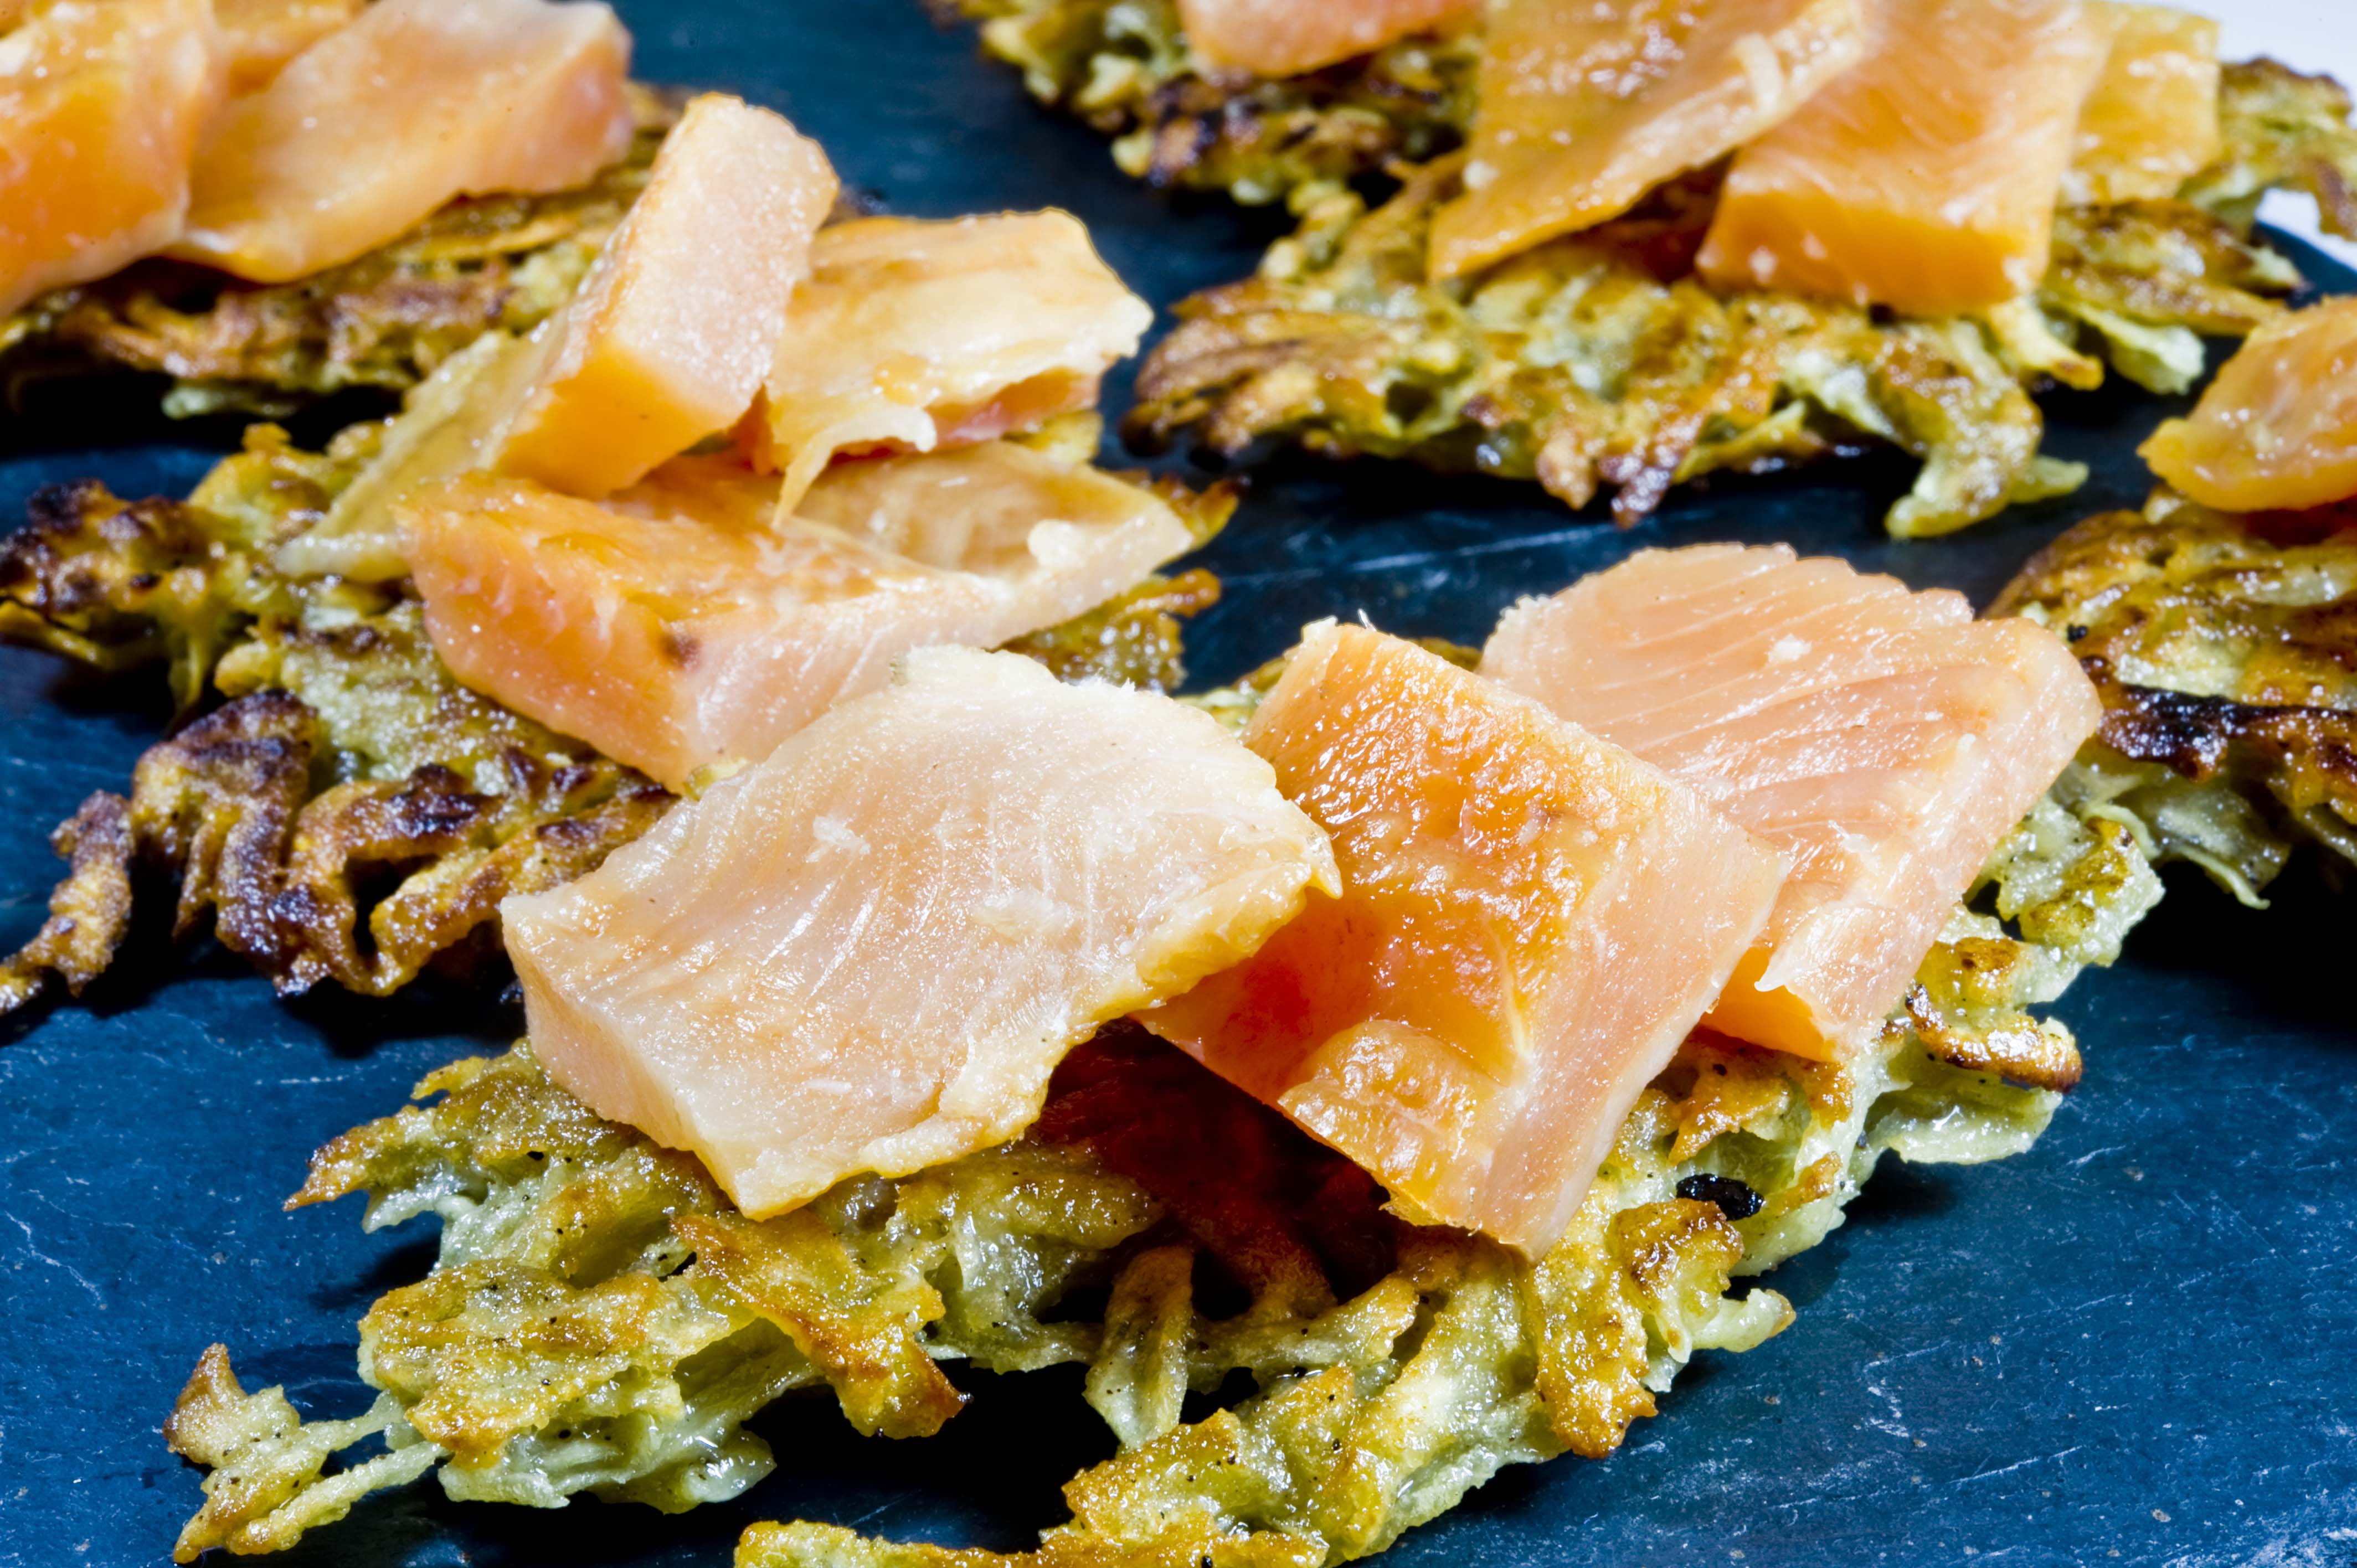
1599, 362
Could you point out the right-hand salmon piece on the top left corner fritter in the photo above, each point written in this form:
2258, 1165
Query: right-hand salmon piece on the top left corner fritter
404, 110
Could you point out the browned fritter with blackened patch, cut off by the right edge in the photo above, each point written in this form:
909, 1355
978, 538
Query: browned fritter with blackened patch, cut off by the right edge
2226, 654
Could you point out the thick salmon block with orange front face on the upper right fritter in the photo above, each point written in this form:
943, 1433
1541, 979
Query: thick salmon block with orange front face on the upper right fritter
1927, 176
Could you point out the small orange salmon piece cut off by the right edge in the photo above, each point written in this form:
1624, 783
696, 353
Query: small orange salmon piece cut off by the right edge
2278, 428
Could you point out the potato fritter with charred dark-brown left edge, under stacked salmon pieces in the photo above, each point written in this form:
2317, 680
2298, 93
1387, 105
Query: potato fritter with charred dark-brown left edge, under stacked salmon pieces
355, 815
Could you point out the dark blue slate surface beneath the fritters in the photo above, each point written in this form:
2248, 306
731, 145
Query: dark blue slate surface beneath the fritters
2132, 1345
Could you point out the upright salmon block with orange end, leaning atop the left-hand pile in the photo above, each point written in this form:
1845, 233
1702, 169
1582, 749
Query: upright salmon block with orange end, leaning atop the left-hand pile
678, 322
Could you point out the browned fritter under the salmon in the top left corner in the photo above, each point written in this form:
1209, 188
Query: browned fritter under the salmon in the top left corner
378, 322
